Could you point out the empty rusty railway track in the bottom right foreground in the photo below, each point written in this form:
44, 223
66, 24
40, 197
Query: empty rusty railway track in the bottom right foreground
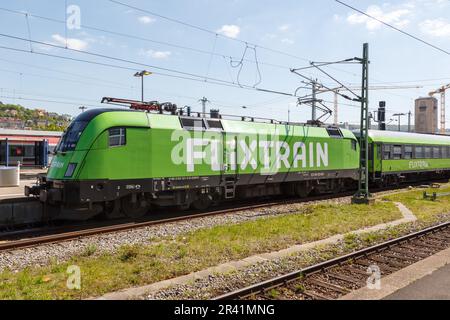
335, 278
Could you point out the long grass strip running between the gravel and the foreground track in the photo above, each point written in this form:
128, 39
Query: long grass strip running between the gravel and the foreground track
172, 257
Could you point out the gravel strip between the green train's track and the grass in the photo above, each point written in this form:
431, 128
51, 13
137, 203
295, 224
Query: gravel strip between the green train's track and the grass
59, 252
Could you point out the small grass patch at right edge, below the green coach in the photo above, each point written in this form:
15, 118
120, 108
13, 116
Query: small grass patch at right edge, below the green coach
425, 210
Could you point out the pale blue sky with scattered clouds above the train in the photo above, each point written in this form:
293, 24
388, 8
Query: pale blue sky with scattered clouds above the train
222, 50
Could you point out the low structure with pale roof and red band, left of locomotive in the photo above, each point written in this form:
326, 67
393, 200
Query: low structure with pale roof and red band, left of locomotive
30, 148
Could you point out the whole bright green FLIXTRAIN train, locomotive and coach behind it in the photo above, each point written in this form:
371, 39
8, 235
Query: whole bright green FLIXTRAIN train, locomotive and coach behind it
123, 162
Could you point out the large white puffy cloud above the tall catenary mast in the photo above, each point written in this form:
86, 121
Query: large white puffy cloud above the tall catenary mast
396, 17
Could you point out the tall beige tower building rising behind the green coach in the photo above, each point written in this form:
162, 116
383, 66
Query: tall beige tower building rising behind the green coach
426, 115
